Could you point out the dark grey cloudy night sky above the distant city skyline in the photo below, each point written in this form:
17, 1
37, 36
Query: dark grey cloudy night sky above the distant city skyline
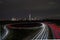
22, 8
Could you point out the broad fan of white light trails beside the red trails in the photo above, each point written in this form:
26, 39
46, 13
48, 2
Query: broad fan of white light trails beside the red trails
43, 33
